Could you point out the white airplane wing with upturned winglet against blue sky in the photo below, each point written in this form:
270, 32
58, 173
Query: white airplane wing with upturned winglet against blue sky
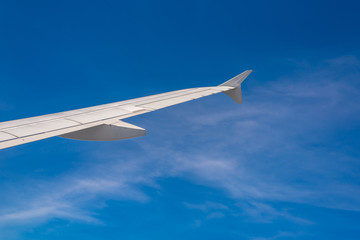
103, 122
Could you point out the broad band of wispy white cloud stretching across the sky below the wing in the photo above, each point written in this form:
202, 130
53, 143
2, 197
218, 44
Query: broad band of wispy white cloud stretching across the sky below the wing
279, 146
